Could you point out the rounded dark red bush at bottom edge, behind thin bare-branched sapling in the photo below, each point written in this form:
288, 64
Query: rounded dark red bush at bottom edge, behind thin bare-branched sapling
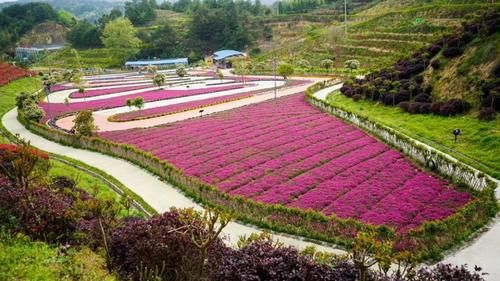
155, 243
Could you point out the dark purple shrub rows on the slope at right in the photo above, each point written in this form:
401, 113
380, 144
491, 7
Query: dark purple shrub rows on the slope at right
404, 83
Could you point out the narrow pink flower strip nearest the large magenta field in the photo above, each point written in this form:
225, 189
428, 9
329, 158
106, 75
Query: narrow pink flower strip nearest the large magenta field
174, 108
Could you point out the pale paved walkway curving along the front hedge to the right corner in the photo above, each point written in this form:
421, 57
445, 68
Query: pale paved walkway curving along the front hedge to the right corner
483, 251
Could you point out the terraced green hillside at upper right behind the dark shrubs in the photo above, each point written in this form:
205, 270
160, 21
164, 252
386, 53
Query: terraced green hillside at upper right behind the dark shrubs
377, 36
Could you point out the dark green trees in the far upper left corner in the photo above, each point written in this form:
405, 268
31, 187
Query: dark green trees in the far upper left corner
17, 20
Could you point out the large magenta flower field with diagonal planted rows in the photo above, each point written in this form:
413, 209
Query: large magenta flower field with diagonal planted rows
287, 152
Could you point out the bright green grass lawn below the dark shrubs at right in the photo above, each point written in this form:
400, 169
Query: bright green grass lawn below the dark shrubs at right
478, 145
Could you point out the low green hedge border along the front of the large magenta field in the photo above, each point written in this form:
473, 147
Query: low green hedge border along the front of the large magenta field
427, 242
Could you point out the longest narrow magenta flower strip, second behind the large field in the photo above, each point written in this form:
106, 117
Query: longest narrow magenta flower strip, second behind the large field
149, 96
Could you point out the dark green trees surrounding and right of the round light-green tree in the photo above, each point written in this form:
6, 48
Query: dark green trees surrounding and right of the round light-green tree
214, 25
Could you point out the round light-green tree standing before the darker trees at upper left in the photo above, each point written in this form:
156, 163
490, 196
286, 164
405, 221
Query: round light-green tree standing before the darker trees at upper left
120, 36
